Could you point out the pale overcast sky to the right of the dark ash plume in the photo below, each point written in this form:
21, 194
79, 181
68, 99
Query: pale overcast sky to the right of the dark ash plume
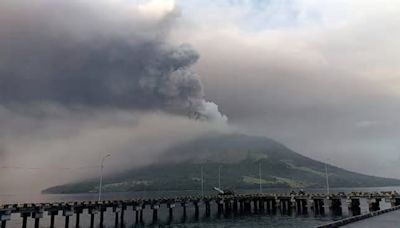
320, 76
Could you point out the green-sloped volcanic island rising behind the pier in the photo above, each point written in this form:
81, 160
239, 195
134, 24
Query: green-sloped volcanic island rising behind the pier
239, 156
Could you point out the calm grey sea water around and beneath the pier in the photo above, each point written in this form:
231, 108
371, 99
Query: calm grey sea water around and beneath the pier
258, 220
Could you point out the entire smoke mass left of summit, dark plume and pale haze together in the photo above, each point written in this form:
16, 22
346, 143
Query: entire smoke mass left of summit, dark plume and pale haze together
83, 78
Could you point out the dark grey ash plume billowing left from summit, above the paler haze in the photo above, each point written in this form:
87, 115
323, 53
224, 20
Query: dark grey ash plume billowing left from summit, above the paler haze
97, 54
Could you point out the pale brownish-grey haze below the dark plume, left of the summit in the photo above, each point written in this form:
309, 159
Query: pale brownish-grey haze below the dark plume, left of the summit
52, 144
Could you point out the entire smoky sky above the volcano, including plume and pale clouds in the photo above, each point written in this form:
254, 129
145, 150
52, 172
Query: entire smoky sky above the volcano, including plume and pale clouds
82, 78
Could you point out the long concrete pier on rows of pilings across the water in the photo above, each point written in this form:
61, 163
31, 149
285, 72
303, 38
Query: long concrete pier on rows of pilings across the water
223, 205
